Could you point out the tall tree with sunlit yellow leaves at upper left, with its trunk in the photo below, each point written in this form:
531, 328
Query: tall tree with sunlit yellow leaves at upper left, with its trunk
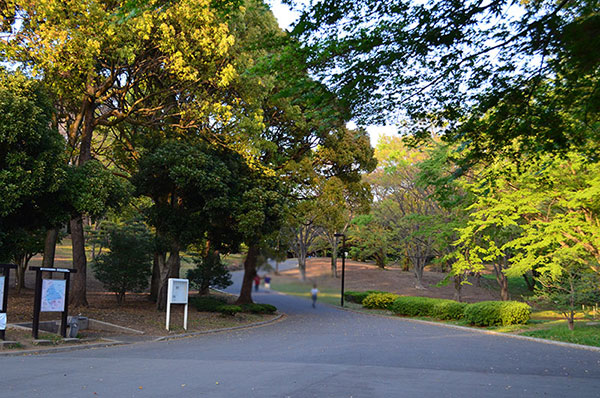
100, 62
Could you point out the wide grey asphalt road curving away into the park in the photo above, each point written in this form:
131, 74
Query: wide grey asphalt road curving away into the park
322, 352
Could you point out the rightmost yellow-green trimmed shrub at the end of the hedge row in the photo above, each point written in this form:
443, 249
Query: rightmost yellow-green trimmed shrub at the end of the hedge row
489, 313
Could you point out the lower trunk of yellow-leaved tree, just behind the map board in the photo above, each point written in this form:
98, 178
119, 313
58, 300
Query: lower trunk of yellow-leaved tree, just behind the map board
77, 296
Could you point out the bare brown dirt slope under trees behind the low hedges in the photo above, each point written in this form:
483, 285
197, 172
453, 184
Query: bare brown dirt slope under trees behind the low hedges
360, 276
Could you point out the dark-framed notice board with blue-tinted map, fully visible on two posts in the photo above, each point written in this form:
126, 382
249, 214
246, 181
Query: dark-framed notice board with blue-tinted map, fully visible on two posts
51, 295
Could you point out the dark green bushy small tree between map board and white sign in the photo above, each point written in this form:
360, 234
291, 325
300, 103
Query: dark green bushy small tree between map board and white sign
127, 266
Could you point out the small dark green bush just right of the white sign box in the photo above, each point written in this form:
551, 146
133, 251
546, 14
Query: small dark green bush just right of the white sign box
209, 271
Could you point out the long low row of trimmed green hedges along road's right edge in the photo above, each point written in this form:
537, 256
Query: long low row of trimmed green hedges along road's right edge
485, 313
